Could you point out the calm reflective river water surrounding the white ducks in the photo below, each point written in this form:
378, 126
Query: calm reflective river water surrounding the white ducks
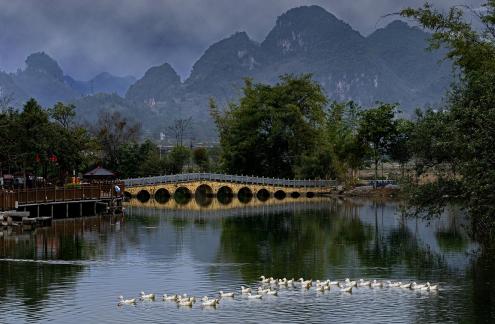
75, 270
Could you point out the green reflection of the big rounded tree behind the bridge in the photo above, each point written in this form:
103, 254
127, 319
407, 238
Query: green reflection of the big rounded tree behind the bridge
291, 244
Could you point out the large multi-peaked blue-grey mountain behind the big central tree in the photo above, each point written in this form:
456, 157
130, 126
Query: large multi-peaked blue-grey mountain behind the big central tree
390, 65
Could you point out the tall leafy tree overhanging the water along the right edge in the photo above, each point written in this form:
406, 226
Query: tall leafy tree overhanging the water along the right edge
470, 112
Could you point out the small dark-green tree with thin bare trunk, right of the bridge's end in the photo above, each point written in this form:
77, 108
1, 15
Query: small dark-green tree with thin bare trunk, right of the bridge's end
377, 128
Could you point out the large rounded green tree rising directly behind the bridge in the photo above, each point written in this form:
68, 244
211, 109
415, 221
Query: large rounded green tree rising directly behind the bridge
272, 127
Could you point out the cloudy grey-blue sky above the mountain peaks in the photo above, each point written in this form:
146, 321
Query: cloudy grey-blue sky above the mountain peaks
126, 37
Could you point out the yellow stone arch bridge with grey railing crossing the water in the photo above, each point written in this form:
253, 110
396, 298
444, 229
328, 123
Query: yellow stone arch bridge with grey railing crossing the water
211, 184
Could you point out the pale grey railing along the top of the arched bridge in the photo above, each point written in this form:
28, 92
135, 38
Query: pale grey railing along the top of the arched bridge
188, 177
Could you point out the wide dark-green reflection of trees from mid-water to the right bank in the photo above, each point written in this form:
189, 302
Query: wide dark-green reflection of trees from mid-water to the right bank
316, 243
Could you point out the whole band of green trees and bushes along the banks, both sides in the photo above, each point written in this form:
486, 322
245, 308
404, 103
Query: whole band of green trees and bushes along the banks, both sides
291, 129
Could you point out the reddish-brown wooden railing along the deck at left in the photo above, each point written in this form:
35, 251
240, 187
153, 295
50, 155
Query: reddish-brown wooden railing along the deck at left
11, 199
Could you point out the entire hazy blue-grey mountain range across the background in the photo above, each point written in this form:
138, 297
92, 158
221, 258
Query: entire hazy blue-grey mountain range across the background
389, 65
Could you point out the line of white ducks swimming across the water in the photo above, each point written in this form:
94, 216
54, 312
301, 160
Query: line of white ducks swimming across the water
271, 286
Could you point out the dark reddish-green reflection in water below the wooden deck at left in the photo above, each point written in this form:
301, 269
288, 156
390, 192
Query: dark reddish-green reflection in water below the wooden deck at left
64, 240
